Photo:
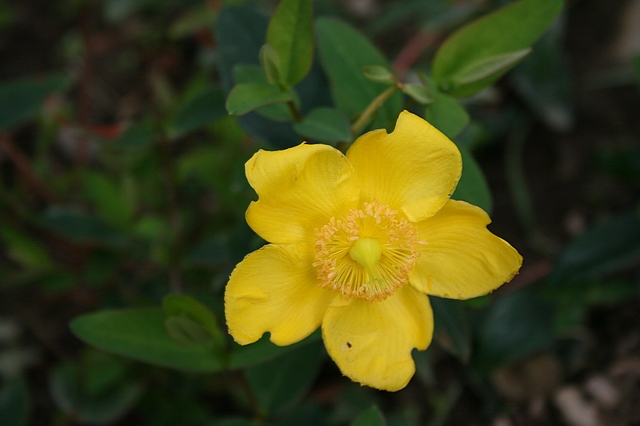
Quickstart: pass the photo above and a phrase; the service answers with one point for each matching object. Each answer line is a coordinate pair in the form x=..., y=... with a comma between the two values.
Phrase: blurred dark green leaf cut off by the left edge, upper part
x=21, y=100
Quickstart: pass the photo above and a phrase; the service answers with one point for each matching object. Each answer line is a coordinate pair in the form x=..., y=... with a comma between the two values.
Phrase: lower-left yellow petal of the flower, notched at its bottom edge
x=274, y=289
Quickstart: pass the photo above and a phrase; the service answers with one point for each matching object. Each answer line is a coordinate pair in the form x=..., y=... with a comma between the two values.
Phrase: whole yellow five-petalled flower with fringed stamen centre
x=357, y=242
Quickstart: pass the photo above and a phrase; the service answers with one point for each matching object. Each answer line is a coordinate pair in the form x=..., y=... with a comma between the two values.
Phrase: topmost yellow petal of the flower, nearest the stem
x=414, y=169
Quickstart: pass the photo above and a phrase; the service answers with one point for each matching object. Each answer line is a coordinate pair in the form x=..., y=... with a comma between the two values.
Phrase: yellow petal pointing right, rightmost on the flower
x=462, y=258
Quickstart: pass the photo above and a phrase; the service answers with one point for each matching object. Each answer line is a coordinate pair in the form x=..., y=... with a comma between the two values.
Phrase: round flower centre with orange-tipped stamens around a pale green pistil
x=368, y=254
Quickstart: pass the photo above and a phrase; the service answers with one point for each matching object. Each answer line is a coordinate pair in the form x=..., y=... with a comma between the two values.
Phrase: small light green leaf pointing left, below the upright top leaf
x=248, y=96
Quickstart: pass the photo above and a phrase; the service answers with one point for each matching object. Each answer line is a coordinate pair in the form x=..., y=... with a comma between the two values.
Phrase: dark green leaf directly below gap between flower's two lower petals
x=275, y=388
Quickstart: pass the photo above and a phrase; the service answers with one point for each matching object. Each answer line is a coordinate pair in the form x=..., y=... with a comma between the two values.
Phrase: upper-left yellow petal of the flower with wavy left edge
x=299, y=189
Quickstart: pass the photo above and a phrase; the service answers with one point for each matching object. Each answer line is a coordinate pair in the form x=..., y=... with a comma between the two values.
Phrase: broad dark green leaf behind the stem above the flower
x=344, y=52
